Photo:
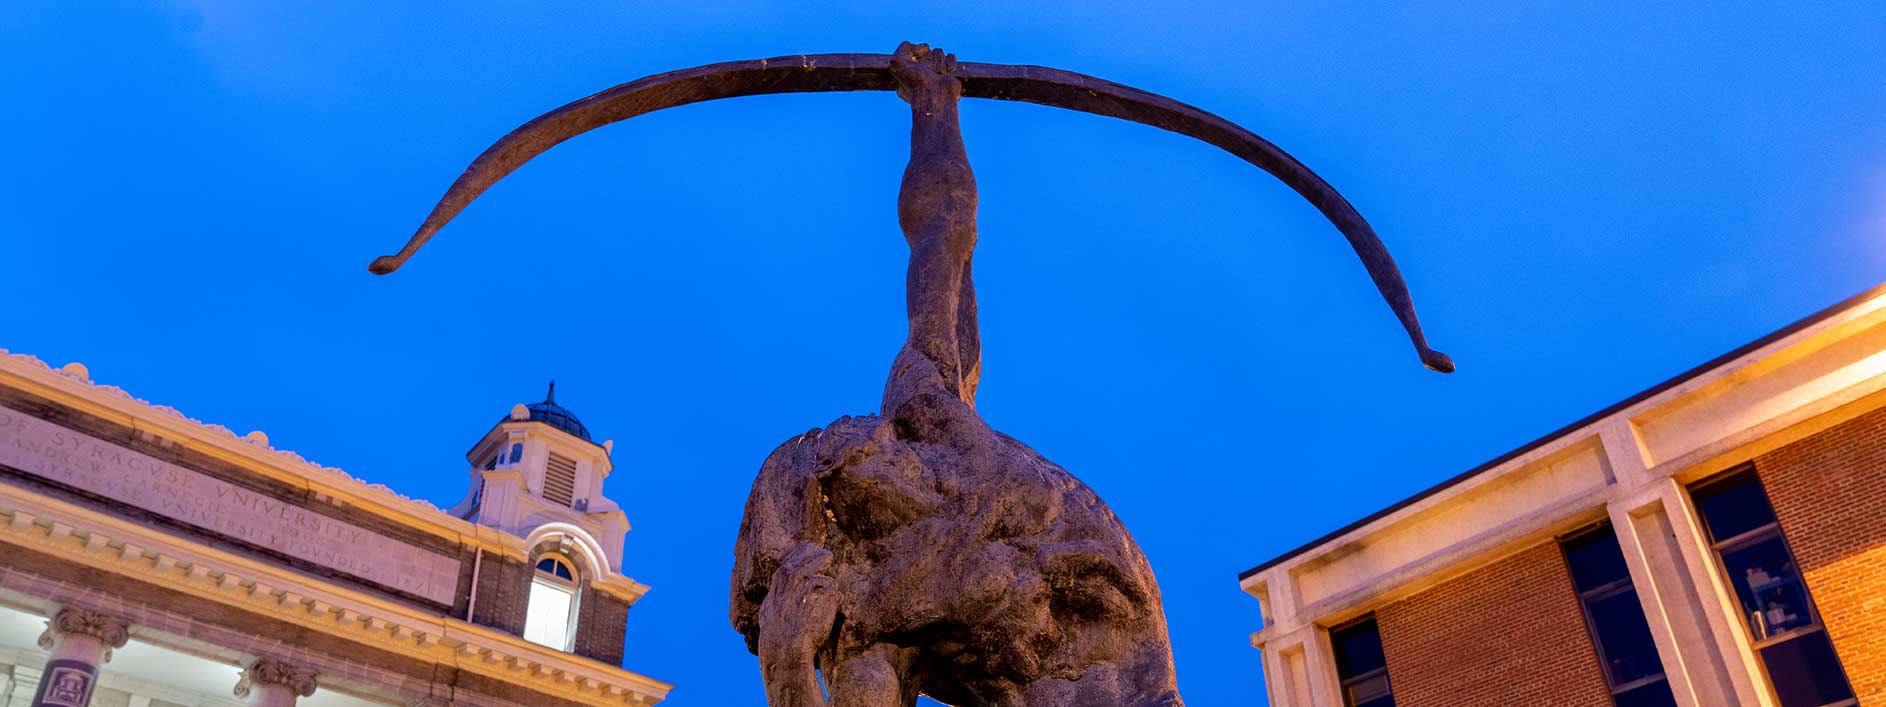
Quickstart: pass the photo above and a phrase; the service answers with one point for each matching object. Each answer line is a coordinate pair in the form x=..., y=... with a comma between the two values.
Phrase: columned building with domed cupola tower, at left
x=154, y=561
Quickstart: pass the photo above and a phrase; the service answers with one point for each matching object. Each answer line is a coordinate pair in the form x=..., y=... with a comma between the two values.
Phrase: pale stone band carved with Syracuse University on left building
x=114, y=472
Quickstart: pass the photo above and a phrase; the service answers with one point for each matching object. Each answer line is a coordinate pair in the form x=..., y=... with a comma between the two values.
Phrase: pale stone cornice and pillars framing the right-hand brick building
x=1627, y=465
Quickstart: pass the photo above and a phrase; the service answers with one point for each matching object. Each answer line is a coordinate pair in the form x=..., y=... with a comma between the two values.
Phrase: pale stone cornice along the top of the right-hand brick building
x=1806, y=378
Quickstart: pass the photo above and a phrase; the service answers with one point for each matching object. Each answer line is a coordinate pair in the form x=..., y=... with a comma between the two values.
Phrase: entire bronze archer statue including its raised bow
x=919, y=551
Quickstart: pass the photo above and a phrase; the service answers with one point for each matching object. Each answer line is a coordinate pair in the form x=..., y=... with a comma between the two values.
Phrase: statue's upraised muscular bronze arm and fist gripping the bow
x=936, y=212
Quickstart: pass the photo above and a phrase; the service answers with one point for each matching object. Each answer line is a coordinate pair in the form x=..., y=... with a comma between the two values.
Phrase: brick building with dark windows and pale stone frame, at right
x=1717, y=540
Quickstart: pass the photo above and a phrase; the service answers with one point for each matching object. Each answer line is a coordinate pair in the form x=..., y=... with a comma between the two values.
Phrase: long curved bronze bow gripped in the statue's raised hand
x=872, y=73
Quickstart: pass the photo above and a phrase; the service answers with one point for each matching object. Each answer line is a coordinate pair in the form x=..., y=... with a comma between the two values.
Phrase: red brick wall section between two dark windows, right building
x=1506, y=634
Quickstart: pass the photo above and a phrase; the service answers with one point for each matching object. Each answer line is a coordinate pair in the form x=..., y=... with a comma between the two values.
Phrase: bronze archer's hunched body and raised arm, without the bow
x=921, y=551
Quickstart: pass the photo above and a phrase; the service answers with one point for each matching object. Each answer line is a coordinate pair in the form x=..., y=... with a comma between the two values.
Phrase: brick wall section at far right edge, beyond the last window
x=1830, y=497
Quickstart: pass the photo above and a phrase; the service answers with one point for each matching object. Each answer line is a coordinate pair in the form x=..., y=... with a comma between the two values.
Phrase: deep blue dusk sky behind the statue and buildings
x=1583, y=201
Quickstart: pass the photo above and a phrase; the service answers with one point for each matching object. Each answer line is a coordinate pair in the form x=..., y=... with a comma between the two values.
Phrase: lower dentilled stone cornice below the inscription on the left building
x=142, y=553
